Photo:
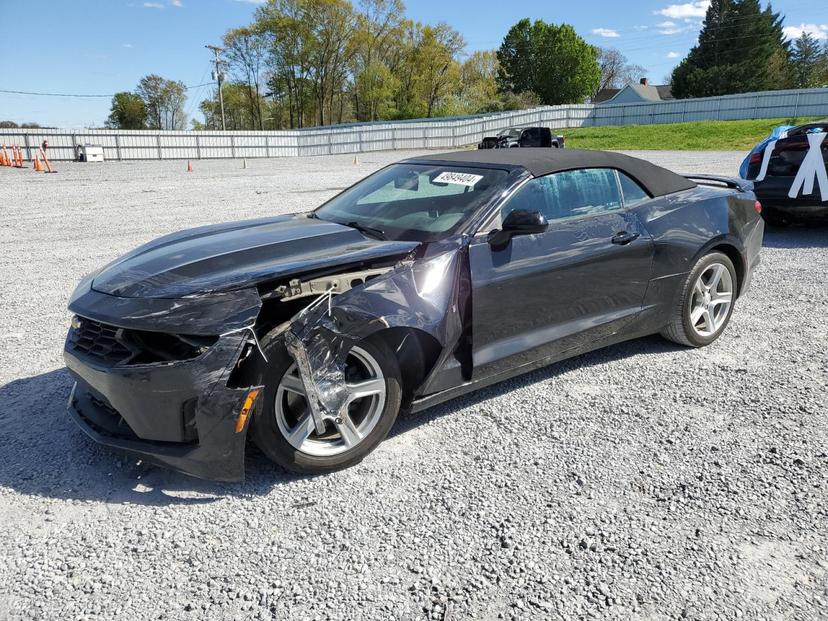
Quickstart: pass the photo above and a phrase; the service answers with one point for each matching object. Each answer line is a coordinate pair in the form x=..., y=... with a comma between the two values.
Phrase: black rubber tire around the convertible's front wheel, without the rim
x=265, y=429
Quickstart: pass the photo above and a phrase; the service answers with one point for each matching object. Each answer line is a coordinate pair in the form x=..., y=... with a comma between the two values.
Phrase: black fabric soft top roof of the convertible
x=658, y=181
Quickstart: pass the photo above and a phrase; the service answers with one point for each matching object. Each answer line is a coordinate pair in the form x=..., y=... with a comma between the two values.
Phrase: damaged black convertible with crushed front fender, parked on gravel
x=426, y=280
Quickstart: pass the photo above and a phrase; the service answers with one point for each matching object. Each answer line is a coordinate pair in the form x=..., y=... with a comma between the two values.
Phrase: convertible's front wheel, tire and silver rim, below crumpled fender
x=284, y=429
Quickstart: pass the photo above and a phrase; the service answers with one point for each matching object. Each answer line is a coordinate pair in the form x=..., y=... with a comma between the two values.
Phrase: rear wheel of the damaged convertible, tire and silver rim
x=701, y=313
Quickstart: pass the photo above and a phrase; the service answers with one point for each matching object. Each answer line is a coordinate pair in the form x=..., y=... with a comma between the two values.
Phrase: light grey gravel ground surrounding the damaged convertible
x=641, y=481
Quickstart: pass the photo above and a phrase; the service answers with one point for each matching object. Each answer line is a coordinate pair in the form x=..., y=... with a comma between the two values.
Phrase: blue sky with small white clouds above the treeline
x=105, y=46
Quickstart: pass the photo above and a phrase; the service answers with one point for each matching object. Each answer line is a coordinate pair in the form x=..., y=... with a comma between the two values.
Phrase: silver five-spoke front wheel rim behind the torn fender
x=365, y=384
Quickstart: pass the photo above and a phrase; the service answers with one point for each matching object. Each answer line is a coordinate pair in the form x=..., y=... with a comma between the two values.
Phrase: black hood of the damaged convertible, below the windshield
x=238, y=254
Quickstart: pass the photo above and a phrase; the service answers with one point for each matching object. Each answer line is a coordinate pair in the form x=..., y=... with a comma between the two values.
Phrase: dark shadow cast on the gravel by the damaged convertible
x=43, y=453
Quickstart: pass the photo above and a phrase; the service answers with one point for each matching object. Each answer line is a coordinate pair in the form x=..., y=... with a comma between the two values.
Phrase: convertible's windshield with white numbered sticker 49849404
x=413, y=202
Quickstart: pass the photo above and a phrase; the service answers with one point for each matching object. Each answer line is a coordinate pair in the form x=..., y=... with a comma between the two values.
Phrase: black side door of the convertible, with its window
x=578, y=282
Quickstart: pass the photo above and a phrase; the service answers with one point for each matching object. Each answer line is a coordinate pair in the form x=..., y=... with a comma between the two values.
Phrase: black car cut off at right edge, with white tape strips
x=789, y=171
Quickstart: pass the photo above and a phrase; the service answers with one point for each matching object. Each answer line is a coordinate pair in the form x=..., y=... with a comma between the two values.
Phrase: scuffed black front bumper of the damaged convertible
x=181, y=416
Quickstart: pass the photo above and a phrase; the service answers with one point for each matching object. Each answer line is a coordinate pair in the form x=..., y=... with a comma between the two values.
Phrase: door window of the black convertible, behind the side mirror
x=568, y=194
